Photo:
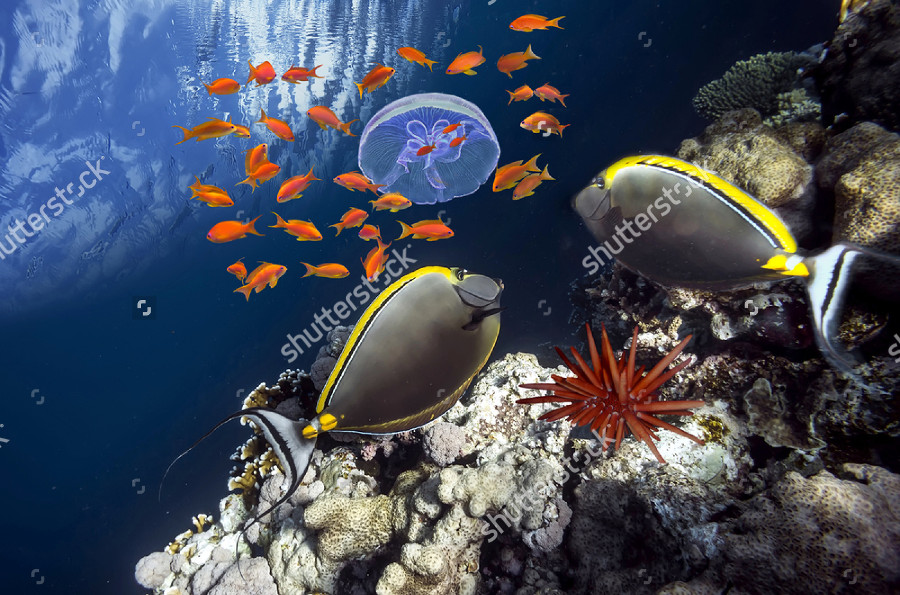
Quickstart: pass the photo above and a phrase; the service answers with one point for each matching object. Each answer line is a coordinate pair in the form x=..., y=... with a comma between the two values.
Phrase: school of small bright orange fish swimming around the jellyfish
x=522, y=178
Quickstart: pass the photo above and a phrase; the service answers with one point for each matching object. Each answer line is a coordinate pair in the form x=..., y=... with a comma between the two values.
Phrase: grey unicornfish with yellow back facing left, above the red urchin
x=679, y=225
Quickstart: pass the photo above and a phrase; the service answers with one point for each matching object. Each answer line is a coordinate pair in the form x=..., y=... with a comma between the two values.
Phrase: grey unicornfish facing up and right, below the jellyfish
x=410, y=357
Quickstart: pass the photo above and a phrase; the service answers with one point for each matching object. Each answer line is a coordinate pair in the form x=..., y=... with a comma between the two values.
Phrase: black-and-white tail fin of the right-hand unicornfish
x=827, y=283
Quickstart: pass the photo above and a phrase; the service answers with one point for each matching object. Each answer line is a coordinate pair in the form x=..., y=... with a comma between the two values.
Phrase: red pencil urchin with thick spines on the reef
x=609, y=394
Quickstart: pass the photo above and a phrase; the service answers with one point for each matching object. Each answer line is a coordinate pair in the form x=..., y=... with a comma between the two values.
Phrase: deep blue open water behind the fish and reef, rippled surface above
x=97, y=402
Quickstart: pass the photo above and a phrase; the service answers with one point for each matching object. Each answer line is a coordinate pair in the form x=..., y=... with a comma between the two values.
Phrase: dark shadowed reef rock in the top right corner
x=860, y=74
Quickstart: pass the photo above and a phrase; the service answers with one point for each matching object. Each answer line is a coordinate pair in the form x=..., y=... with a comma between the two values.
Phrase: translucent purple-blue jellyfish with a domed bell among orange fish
x=394, y=148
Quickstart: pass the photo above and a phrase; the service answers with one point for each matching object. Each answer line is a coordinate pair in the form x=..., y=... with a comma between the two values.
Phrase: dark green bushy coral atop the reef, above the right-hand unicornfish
x=757, y=82
